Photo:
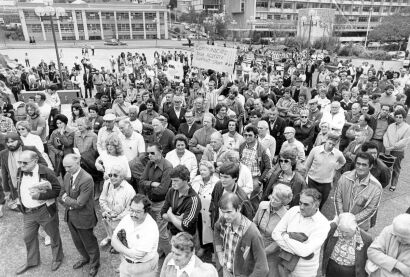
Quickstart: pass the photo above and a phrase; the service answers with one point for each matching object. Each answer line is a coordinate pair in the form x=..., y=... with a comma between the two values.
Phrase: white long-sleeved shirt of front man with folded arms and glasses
x=315, y=228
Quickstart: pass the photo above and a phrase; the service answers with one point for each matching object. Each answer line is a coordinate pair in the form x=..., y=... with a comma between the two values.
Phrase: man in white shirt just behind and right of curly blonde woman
x=132, y=142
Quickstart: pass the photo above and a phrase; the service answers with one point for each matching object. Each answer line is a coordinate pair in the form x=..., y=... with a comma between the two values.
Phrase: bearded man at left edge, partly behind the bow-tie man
x=9, y=158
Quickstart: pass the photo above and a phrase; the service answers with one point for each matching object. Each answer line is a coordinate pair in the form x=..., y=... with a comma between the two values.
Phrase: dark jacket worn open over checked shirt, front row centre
x=249, y=256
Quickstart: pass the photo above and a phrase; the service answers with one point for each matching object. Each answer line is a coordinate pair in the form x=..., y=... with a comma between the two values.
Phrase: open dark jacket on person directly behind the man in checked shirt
x=247, y=209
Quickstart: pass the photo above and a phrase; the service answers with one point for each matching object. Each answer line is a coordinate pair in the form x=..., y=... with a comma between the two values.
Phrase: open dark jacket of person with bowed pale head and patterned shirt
x=361, y=255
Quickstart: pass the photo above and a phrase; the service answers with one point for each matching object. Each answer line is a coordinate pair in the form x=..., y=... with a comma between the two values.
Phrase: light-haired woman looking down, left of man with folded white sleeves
x=267, y=217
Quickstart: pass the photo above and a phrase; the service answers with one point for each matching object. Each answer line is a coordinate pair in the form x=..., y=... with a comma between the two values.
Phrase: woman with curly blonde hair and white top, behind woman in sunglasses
x=114, y=155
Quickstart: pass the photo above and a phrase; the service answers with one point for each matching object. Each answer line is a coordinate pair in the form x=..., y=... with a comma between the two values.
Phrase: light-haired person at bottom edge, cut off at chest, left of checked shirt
x=183, y=261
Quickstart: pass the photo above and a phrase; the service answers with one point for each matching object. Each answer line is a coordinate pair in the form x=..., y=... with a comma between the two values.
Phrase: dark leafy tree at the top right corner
x=392, y=28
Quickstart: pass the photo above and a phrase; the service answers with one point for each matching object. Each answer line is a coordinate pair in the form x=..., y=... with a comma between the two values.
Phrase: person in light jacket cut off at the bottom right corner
x=389, y=254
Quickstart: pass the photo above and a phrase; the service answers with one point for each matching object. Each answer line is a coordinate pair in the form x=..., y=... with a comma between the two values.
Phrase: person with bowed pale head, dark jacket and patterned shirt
x=345, y=249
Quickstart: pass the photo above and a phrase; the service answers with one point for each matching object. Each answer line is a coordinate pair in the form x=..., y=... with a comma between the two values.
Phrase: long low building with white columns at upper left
x=97, y=21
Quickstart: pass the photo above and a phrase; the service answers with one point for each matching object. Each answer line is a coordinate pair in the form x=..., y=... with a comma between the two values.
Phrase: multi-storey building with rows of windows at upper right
x=351, y=17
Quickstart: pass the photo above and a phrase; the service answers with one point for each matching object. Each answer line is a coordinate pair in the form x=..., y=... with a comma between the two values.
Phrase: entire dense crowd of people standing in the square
x=236, y=164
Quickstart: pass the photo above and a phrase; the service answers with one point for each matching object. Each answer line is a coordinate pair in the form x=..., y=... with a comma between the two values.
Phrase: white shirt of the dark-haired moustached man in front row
x=143, y=237
